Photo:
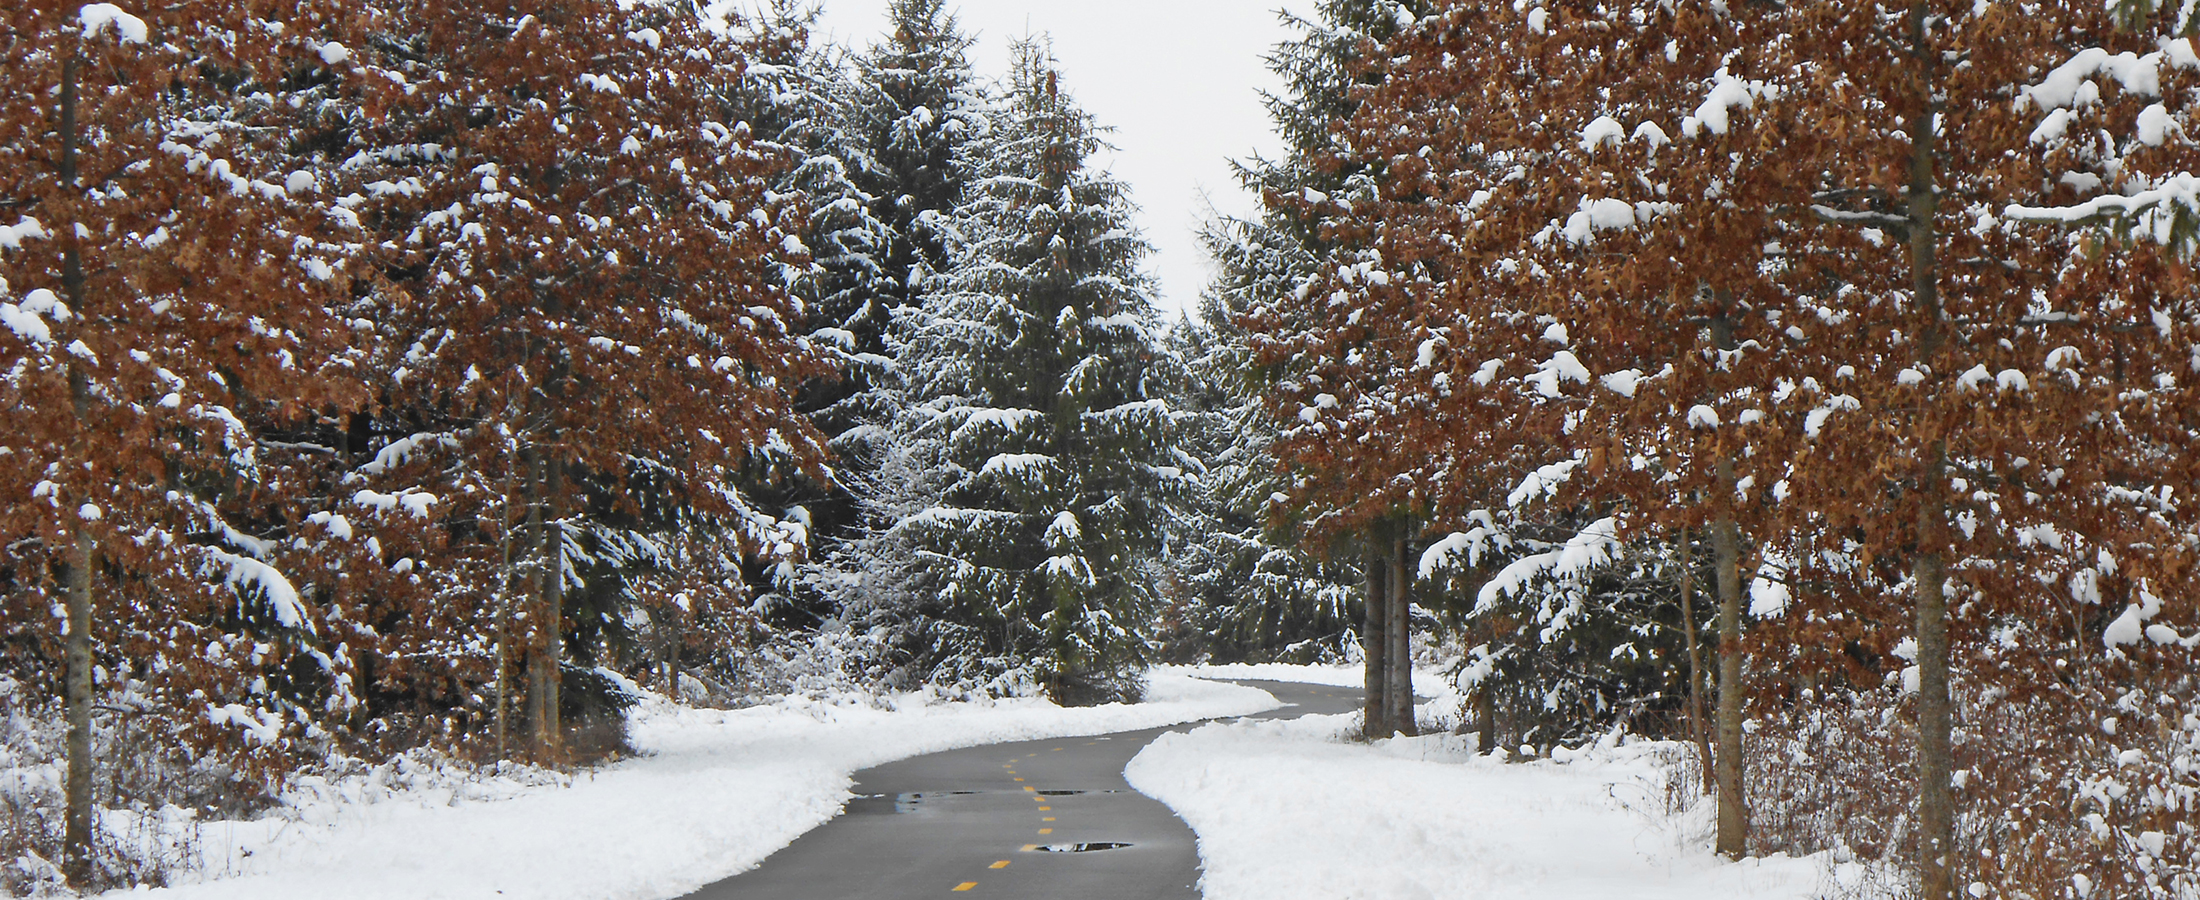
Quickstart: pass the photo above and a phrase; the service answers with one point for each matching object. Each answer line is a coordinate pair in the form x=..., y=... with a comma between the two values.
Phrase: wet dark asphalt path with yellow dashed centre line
x=1035, y=820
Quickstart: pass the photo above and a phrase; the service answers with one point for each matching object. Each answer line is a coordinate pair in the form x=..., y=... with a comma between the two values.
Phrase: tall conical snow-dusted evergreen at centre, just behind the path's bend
x=1037, y=459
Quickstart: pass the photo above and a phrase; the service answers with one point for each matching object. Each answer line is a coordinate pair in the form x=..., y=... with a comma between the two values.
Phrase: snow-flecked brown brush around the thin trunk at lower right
x=2082, y=787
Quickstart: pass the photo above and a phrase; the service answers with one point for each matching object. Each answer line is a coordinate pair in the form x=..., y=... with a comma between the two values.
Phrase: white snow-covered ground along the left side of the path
x=716, y=795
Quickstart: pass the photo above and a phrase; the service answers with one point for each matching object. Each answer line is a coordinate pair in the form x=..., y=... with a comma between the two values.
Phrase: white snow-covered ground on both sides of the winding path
x=1281, y=809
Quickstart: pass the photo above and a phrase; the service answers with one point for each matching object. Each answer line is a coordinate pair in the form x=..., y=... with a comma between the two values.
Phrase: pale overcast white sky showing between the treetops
x=1176, y=78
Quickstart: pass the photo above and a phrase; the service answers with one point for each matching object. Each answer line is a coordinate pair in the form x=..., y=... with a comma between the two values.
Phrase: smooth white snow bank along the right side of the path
x=1292, y=811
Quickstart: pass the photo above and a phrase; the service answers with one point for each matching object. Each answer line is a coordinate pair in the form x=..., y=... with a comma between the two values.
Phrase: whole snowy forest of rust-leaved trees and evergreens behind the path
x=1803, y=382
